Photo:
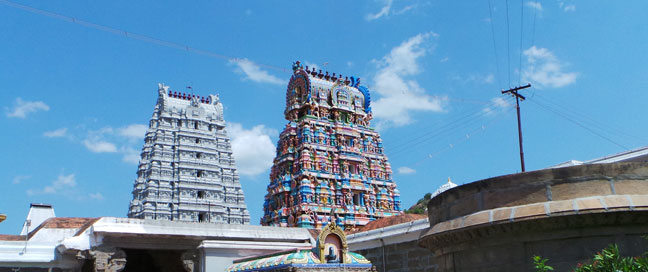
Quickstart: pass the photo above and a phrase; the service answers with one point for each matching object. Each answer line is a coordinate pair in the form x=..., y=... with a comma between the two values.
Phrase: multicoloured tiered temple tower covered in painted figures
x=330, y=164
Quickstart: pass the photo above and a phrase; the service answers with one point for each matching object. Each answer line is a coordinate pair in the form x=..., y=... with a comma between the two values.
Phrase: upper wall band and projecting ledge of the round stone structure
x=560, y=184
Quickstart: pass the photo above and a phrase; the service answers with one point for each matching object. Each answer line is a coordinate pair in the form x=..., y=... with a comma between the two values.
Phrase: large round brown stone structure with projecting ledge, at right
x=564, y=214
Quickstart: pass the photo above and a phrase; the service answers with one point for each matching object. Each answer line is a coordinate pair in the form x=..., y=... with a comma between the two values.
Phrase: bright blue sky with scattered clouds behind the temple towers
x=74, y=98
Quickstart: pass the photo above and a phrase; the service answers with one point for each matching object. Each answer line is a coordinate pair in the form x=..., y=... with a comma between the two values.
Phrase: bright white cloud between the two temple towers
x=253, y=149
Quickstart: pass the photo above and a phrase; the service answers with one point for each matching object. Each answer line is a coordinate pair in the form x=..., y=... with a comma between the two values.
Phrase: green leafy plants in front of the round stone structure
x=609, y=259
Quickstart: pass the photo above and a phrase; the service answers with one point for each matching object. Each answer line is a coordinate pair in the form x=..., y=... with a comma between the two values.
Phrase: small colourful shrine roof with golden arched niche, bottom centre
x=330, y=254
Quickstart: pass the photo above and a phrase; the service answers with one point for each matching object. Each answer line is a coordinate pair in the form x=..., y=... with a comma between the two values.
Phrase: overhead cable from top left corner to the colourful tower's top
x=132, y=35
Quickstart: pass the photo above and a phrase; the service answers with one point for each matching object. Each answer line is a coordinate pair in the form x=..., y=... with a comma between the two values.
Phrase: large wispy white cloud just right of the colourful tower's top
x=398, y=95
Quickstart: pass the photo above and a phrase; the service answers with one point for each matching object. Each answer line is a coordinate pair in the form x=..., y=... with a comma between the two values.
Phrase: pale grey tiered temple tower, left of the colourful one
x=187, y=171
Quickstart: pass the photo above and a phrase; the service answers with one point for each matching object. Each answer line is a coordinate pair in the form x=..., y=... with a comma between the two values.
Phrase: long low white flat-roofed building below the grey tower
x=110, y=244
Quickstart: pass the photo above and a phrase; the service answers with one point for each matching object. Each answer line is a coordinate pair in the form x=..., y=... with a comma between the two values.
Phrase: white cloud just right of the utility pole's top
x=545, y=70
